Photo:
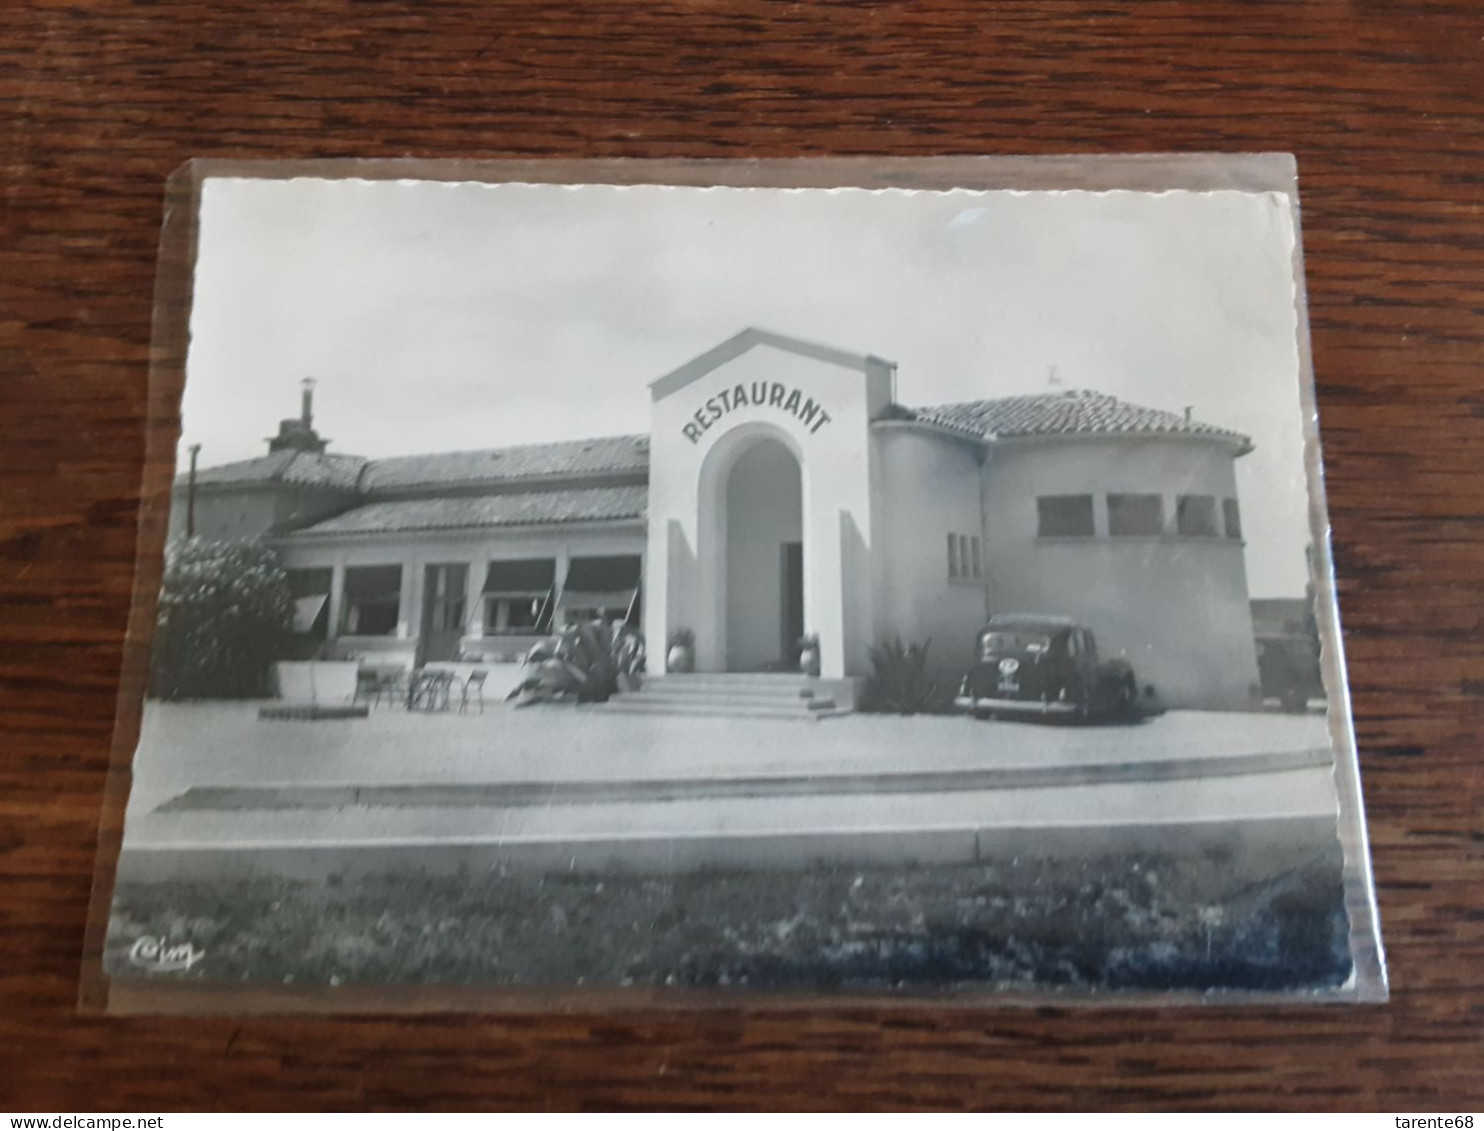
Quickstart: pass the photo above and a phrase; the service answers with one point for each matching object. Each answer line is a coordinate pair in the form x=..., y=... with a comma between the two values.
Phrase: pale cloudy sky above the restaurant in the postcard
x=439, y=317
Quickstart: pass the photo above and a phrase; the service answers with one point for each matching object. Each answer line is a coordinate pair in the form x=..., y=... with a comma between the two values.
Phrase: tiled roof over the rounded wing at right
x=1071, y=413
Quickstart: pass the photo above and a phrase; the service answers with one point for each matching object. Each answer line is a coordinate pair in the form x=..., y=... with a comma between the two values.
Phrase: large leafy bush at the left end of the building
x=226, y=615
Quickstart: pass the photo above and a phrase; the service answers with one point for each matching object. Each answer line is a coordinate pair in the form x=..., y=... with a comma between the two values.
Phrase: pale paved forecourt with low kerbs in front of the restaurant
x=219, y=792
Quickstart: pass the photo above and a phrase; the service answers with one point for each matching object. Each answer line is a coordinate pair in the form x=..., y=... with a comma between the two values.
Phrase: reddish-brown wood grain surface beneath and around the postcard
x=1382, y=106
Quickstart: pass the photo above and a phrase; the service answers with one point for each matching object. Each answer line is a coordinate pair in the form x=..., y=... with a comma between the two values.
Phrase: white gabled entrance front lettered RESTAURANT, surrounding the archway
x=810, y=406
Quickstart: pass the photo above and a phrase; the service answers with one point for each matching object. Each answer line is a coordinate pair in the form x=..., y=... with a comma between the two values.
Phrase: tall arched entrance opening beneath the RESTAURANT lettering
x=765, y=559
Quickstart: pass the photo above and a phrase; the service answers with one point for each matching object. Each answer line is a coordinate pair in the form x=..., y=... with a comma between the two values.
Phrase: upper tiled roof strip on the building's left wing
x=571, y=458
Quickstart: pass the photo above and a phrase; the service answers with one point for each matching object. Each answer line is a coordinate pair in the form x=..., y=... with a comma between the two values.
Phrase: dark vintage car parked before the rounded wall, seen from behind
x=1029, y=664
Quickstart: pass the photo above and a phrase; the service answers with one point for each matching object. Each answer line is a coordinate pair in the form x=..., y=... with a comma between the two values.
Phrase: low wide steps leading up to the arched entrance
x=738, y=695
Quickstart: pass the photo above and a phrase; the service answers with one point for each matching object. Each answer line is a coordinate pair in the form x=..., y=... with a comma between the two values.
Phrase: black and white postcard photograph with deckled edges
x=744, y=590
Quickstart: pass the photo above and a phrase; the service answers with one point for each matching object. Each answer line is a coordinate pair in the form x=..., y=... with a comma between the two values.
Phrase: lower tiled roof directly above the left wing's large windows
x=473, y=513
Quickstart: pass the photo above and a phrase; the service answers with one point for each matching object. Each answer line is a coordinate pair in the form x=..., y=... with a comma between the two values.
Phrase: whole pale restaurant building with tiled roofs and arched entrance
x=783, y=489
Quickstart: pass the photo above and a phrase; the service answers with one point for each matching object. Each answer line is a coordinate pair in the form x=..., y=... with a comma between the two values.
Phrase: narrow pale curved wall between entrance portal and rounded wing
x=930, y=488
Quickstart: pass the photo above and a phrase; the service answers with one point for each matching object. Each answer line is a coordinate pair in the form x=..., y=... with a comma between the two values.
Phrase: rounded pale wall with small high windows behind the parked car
x=1176, y=606
